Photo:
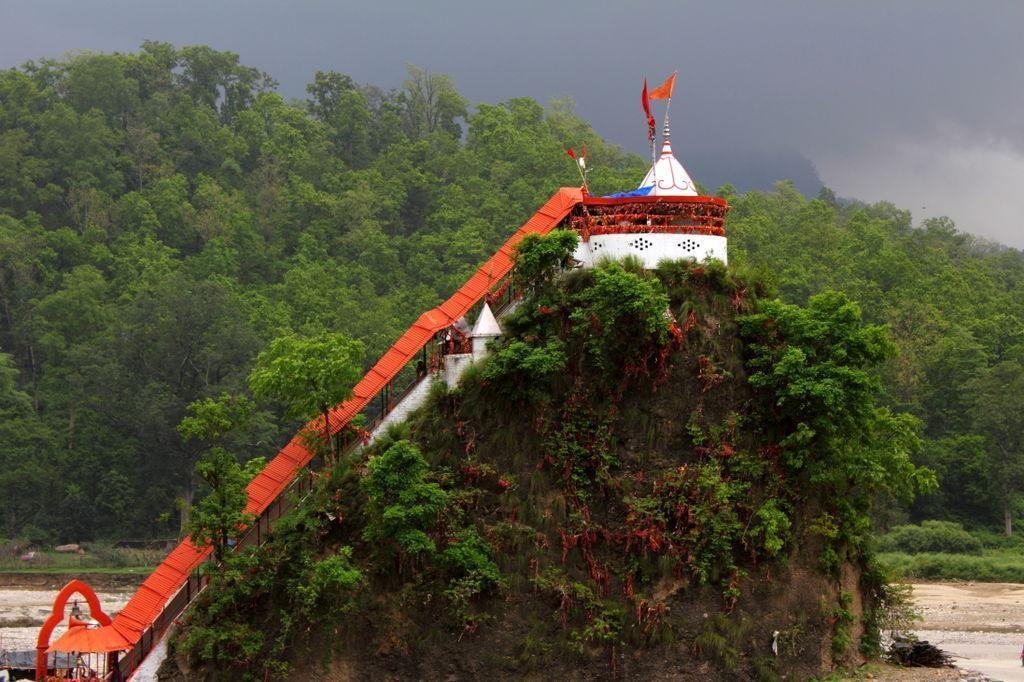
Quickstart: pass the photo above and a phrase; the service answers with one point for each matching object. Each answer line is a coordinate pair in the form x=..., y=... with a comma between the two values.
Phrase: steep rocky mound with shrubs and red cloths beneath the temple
x=663, y=475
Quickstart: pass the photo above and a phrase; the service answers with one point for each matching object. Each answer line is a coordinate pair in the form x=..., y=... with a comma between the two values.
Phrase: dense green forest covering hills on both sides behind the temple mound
x=165, y=215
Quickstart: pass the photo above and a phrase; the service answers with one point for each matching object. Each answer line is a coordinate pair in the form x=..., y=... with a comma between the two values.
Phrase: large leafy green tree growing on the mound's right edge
x=816, y=364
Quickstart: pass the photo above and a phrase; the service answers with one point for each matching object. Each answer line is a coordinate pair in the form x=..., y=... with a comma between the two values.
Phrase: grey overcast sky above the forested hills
x=920, y=103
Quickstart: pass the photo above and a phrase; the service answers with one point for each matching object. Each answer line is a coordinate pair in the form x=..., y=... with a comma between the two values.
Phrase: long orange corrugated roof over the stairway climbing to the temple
x=143, y=610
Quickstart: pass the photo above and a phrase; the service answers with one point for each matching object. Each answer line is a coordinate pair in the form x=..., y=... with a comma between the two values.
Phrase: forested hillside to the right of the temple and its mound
x=955, y=309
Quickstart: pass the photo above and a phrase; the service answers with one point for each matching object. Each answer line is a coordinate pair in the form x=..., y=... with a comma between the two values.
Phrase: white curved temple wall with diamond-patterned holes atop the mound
x=652, y=248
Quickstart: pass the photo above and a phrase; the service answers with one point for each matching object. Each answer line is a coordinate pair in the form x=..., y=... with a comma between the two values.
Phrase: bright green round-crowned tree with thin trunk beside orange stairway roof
x=310, y=376
